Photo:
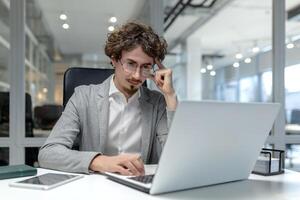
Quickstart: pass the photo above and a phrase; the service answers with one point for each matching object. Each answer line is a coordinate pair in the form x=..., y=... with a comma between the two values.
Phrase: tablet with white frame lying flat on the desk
x=46, y=181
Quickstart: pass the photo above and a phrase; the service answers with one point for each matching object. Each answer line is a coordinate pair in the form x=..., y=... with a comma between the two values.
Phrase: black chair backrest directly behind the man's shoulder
x=76, y=76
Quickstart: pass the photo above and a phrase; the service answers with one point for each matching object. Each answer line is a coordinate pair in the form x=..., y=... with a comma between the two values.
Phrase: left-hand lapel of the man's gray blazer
x=103, y=109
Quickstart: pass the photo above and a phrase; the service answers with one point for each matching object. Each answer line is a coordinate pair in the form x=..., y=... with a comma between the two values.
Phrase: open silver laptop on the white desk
x=208, y=143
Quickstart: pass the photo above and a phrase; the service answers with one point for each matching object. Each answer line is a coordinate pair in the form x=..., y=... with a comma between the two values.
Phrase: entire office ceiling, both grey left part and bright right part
x=238, y=26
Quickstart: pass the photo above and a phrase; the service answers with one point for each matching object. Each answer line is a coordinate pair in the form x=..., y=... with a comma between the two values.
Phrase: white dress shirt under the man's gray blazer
x=124, y=126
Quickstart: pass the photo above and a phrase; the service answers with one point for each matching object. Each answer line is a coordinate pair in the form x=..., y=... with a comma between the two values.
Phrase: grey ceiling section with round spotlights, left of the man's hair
x=88, y=21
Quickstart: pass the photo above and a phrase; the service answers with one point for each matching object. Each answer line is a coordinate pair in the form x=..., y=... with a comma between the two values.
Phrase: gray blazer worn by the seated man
x=86, y=117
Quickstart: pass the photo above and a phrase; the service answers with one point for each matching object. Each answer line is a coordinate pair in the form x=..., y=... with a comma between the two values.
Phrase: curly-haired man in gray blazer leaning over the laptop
x=120, y=124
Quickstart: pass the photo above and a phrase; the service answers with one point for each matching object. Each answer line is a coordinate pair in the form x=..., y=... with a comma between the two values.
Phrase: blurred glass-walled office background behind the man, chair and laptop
x=225, y=50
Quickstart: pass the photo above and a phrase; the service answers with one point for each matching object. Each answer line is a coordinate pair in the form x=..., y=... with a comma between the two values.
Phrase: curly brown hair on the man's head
x=134, y=34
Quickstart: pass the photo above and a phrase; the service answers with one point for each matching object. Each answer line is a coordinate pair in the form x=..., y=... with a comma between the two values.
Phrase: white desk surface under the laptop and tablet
x=280, y=187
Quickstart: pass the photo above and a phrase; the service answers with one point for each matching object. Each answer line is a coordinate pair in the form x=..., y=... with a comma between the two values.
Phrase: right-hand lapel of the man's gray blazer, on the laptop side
x=147, y=117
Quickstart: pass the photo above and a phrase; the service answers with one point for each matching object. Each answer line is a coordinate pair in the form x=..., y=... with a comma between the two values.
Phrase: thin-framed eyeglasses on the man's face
x=131, y=67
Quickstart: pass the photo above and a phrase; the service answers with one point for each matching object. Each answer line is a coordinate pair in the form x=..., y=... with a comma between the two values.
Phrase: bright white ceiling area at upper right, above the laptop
x=238, y=26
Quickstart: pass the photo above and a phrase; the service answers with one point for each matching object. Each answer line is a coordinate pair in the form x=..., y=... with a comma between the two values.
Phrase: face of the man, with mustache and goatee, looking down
x=128, y=82
